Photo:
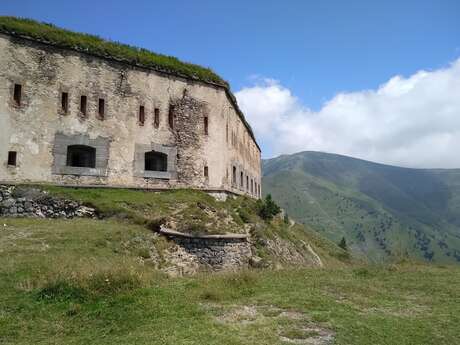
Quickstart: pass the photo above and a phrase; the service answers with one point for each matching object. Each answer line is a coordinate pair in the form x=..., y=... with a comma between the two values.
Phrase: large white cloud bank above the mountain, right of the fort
x=412, y=121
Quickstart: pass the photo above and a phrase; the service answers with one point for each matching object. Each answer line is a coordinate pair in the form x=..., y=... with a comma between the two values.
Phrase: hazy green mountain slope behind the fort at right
x=383, y=211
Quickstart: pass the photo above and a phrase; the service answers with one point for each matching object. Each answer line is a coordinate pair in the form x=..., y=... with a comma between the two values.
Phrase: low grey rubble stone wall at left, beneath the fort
x=16, y=201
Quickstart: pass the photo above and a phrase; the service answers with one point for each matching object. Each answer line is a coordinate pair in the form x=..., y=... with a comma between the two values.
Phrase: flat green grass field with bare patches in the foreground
x=84, y=282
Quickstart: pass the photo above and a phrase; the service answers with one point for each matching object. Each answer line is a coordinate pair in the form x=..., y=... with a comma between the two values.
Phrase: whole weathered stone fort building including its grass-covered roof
x=77, y=110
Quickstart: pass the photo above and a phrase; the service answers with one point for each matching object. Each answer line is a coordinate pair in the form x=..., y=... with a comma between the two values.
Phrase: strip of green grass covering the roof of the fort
x=94, y=45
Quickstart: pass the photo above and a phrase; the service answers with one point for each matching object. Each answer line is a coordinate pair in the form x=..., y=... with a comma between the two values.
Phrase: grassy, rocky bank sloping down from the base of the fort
x=276, y=241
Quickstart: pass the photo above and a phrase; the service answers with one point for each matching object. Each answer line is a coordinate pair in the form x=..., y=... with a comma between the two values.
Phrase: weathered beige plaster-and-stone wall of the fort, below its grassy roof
x=31, y=128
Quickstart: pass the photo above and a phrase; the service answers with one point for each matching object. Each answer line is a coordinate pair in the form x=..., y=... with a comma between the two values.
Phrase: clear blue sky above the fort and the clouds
x=314, y=49
